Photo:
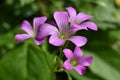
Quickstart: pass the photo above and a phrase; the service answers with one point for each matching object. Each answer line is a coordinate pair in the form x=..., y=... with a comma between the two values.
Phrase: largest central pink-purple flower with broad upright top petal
x=61, y=33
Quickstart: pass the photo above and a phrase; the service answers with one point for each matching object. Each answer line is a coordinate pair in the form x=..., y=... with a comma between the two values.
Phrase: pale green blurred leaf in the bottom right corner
x=102, y=67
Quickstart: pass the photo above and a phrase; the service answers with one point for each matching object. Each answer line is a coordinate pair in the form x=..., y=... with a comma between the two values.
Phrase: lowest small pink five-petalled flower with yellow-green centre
x=76, y=61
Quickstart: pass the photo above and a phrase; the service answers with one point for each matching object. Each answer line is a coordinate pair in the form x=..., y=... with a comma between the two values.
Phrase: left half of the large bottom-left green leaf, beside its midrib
x=12, y=65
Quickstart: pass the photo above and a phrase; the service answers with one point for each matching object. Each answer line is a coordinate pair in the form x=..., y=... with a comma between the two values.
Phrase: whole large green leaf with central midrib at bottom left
x=27, y=62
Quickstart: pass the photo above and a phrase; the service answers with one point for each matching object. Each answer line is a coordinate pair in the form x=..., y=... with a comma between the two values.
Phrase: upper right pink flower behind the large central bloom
x=80, y=21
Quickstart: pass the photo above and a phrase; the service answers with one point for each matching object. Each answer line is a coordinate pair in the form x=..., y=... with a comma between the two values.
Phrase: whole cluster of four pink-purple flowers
x=66, y=24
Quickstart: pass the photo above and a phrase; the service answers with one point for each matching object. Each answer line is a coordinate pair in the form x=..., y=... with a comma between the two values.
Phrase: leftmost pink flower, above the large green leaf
x=30, y=32
